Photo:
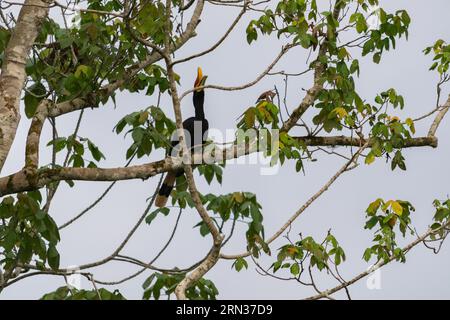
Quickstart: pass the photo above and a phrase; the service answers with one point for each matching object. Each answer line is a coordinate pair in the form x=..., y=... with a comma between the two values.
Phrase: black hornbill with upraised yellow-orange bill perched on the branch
x=195, y=130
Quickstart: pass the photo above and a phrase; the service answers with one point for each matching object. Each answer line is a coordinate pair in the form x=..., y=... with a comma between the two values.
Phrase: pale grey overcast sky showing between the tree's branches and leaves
x=97, y=234
